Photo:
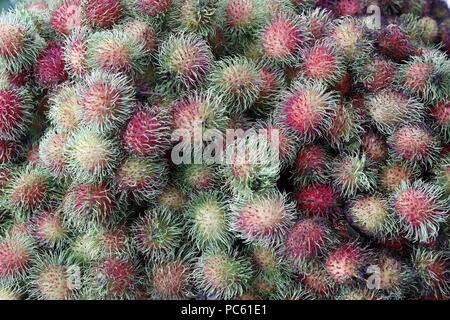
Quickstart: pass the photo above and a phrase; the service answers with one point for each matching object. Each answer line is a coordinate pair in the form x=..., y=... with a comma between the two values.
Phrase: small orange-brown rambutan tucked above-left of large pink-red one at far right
x=394, y=173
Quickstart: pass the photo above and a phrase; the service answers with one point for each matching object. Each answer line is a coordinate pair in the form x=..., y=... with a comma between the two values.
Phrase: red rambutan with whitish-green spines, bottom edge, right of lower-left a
x=113, y=278
